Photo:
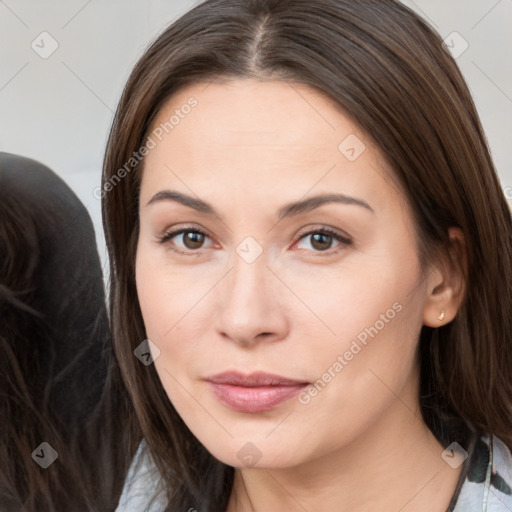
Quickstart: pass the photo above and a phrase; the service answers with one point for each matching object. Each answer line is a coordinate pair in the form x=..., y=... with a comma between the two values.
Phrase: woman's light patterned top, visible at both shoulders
x=485, y=484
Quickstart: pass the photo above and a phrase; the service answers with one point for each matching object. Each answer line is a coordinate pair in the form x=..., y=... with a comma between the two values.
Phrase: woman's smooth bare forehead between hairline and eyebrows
x=282, y=136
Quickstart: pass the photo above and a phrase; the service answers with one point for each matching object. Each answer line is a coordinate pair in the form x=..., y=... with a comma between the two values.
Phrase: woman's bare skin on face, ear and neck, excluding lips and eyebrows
x=359, y=443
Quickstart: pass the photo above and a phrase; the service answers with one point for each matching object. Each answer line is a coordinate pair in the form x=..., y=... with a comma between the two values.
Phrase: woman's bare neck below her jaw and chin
x=395, y=465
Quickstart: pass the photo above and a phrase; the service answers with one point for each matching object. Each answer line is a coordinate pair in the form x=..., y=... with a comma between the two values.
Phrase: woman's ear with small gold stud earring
x=447, y=282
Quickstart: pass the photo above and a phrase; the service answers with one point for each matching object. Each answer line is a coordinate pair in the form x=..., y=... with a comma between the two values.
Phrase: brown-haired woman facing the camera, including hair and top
x=311, y=280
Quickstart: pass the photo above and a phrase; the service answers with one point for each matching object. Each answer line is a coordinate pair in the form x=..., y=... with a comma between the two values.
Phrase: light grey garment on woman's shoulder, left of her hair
x=142, y=490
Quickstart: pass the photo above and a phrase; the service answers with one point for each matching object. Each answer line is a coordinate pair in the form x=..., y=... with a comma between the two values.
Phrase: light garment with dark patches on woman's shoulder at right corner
x=488, y=483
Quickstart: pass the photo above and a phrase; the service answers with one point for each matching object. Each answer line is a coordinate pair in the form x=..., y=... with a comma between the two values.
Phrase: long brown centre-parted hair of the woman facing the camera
x=388, y=70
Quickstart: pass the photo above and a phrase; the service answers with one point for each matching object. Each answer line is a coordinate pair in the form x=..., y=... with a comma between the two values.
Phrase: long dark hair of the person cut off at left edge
x=57, y=374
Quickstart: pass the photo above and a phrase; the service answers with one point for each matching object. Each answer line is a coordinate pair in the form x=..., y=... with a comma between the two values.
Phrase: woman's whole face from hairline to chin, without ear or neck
x=254, y=285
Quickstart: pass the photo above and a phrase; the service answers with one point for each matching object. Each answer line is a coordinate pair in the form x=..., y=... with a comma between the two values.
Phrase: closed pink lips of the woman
x=256, y=392
